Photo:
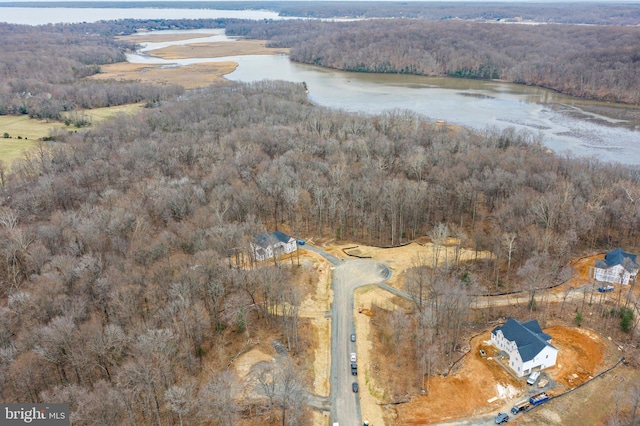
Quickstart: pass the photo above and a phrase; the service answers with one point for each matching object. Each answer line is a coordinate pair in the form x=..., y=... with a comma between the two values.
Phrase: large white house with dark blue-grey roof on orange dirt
x=527, y=346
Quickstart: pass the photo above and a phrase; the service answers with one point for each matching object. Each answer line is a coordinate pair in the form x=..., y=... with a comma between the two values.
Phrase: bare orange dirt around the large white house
x=478, y=380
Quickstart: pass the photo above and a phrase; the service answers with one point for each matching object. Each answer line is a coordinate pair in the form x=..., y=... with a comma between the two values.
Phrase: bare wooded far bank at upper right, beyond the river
x=598, y=62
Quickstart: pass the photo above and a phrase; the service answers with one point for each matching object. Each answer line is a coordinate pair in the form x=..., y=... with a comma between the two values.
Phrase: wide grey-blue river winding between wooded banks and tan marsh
x=561, y=121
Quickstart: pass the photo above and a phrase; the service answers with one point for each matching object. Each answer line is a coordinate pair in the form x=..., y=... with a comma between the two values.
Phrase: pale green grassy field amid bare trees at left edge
x=24, y=132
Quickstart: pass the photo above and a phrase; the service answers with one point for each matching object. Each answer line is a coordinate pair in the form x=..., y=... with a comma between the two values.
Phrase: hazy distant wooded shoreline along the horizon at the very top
x=568, y=12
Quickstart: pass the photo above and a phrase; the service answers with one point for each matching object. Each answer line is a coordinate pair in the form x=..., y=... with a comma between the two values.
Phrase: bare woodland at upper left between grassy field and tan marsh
x=42, y=71
